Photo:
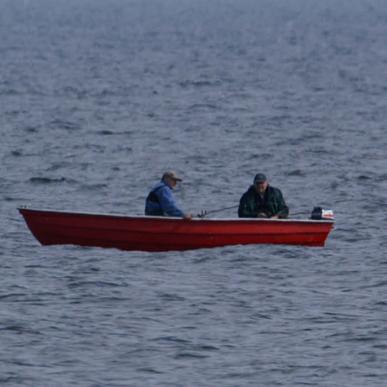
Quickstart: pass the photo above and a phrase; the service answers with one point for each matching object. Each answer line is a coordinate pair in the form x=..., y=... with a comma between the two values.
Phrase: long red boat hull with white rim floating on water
x=163, y=233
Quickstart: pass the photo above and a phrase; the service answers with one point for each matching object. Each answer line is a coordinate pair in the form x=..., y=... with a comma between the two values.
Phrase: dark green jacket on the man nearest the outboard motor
x=272, y=204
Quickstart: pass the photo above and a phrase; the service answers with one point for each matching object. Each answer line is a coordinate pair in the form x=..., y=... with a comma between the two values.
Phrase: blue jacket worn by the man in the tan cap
x=161, y=202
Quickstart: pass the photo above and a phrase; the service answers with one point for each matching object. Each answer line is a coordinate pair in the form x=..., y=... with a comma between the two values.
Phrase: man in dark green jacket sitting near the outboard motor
x=262, y=201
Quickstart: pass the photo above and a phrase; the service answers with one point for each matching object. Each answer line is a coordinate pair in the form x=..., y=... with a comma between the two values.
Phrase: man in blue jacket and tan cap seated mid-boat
x=161, y=201
